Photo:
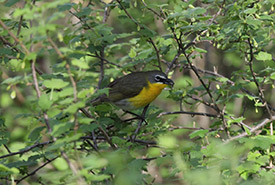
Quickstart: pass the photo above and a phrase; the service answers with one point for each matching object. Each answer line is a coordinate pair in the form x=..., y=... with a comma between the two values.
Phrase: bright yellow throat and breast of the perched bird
x=147, y=95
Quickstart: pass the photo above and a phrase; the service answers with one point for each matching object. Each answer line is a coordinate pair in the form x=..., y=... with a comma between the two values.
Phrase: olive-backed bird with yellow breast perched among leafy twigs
x=135, y=90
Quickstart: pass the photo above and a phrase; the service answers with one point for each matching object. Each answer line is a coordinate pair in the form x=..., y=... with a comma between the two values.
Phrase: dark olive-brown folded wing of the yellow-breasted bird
x=126, y=87
